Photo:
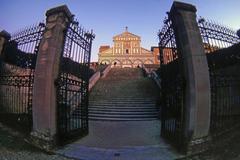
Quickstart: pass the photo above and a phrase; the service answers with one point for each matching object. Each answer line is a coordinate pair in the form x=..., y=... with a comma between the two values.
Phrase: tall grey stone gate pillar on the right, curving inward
x=195, y=66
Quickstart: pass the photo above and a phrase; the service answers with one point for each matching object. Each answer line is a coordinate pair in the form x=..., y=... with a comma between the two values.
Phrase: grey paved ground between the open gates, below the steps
x=136, y=140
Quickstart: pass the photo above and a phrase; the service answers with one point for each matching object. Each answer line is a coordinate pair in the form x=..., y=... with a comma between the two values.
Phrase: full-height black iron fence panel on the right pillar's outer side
x=225, y=84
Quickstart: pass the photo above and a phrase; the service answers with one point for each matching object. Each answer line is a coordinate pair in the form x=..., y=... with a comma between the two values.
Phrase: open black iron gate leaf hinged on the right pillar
x=173, y=86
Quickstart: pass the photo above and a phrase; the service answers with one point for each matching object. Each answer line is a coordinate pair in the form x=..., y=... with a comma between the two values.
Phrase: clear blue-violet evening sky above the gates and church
x=110, y=17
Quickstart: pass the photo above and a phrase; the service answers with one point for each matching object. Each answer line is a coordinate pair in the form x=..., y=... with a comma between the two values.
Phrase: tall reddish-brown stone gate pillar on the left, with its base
x=44, y=131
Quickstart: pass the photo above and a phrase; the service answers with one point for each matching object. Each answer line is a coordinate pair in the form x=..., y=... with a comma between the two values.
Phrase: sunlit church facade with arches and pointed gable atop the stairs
x=127, y=52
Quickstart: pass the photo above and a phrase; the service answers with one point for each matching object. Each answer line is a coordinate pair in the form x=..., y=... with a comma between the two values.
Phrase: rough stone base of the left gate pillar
x=43, y=141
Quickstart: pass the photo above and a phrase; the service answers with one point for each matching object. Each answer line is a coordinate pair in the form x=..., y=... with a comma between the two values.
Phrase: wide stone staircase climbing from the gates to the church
x=124, y=95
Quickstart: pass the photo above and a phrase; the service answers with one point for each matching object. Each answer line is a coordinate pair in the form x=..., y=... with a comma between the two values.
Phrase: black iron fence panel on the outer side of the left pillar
x=17, y=76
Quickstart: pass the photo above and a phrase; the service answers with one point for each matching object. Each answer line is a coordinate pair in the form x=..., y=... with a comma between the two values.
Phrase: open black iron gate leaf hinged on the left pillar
x=72, y=92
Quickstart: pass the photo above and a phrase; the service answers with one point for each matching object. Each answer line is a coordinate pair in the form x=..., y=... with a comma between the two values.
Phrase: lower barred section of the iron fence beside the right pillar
x=225, y=111
